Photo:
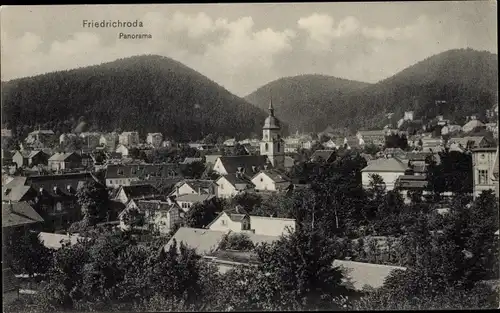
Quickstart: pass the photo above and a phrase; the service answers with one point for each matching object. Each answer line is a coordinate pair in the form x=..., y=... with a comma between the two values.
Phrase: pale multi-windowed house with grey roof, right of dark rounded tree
x=160, y=216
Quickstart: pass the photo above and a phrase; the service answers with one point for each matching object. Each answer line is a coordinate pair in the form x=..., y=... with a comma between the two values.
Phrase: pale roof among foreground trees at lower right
x=359, y=274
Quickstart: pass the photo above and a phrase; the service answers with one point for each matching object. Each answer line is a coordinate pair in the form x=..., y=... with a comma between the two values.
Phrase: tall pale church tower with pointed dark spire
x=272, y=144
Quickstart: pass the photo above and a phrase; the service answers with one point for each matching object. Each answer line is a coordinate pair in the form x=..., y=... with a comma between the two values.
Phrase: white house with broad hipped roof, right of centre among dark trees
x=388, y=168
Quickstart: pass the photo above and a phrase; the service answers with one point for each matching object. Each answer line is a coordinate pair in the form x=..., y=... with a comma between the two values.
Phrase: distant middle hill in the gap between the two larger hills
x=302, y=100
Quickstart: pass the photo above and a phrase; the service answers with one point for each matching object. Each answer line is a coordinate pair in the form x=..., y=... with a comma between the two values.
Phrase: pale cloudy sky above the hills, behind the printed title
x=244, y=46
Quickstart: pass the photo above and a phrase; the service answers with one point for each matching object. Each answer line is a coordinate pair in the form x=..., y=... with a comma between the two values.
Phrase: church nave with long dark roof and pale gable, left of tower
x=248, y=164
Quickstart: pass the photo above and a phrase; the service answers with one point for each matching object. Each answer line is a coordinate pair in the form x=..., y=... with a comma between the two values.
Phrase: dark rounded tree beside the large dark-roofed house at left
x=93, y=198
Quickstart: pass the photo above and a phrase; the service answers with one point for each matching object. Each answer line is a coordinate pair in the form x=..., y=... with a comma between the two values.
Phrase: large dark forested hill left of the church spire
x=144, y=93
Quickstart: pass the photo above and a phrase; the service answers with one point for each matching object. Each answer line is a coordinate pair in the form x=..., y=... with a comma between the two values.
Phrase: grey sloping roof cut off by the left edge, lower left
x=19, y=213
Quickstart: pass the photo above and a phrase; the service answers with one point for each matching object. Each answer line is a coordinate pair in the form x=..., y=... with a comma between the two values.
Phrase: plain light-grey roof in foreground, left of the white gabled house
x=203, y=241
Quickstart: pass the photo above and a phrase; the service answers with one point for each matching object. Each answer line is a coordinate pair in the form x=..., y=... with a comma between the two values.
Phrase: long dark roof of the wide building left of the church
x=142, y=170
